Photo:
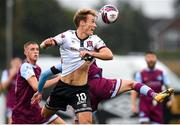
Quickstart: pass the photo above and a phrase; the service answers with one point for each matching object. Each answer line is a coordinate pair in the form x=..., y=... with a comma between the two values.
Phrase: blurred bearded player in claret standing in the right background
x=149, y=110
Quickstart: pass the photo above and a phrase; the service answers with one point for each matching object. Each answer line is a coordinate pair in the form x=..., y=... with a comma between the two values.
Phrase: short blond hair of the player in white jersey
x=81, y=14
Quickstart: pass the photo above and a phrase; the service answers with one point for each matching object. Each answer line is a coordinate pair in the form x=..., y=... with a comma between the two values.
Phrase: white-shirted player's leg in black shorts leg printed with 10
x=80, y=101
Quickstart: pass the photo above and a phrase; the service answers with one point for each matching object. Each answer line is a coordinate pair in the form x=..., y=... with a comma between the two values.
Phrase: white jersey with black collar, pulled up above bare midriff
x=70, y=46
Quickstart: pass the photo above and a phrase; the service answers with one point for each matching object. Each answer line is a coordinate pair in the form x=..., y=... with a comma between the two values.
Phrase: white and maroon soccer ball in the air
x=109, y=14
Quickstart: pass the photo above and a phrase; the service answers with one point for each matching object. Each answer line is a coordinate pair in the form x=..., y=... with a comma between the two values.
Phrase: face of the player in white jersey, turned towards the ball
x=89, y=25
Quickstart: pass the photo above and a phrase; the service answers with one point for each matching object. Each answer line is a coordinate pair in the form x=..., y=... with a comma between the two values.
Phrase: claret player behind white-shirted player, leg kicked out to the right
x=101, y=88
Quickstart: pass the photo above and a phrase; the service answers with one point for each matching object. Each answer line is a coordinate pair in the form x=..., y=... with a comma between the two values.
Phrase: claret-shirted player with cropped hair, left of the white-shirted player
x=26, y=85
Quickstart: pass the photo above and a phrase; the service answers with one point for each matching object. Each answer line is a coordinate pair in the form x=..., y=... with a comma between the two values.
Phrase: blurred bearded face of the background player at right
x=151, y=60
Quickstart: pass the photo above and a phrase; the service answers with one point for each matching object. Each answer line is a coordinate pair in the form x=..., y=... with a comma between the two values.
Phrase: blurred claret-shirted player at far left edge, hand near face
x=8, y=80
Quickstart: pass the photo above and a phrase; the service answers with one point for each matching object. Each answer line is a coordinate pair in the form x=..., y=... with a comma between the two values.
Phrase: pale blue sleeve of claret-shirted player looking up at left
x=27, y=70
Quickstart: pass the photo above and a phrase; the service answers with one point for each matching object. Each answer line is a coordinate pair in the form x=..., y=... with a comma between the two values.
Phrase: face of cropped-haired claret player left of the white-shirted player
x=32, y=52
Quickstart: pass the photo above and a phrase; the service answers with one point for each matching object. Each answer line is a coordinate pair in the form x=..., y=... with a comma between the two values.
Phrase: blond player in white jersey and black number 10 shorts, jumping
x=77, y=48
